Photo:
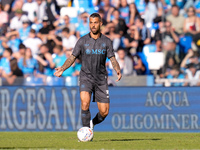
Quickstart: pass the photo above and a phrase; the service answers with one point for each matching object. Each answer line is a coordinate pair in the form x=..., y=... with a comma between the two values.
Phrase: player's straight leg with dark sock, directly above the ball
x=85, y=104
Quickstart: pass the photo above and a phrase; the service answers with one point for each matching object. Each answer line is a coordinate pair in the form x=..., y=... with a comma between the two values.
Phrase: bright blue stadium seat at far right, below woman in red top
x=185, y=43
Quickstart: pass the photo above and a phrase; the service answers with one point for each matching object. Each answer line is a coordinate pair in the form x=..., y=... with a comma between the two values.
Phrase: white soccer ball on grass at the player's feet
x=85, y=134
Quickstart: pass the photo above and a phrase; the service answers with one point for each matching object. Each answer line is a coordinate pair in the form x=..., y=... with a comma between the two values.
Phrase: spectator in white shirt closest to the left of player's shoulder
x=68, y=40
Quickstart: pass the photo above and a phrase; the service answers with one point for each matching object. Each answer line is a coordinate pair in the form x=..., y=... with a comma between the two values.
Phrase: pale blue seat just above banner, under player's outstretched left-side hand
x=55, y=81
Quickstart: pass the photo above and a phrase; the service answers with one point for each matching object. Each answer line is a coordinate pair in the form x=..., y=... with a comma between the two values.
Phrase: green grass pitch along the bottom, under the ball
x=102, y=140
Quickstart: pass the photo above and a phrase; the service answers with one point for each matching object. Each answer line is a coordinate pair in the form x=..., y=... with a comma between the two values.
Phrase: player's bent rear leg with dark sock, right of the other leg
x=101, y=115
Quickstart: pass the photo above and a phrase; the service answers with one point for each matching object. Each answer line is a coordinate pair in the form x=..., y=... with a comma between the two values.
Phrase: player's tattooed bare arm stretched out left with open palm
x=65, y=66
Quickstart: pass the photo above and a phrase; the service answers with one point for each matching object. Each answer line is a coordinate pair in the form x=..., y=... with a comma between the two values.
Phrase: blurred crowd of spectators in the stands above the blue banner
x=37, y=36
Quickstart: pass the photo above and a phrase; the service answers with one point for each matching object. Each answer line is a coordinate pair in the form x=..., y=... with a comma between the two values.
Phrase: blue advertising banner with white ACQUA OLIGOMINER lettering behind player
x=137, y=109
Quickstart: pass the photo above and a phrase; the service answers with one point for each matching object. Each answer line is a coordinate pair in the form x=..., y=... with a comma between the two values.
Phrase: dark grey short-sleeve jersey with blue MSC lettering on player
x=94, y=53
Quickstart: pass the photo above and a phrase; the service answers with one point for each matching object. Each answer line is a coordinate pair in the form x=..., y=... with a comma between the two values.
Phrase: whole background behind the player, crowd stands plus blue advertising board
x=32, y=99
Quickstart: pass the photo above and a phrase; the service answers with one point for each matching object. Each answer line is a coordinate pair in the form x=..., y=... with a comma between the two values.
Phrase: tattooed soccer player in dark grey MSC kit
x=94, y=48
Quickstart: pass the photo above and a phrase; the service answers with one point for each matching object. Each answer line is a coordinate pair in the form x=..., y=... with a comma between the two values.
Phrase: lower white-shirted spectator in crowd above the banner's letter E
x=33, y=42
